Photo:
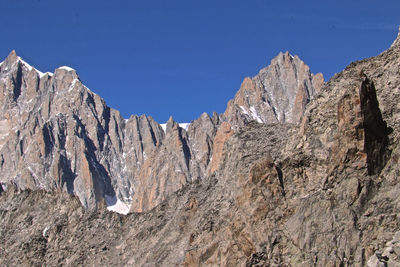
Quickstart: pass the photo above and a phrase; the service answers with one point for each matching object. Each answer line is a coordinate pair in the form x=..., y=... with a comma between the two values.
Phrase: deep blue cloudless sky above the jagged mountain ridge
x=184, y=57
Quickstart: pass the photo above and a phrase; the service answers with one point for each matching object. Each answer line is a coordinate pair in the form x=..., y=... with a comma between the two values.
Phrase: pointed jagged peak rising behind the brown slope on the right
x=279, y=93
